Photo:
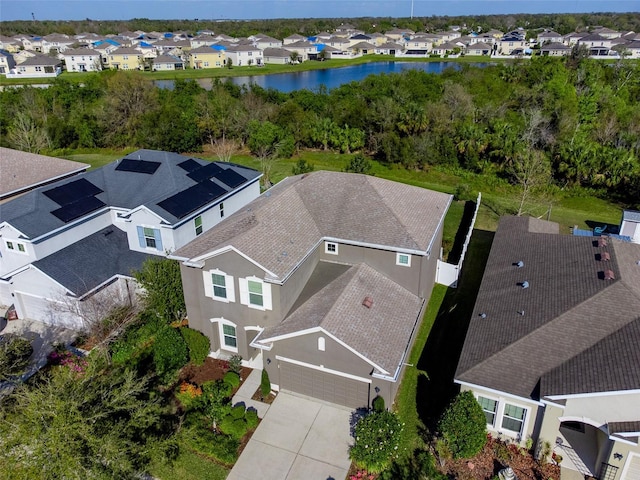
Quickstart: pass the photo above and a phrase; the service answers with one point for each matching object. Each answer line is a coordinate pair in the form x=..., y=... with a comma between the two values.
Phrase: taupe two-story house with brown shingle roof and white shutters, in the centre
x=322, y=281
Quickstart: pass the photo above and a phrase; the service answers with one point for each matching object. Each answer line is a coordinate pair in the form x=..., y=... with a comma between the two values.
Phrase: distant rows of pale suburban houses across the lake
x=26, y=56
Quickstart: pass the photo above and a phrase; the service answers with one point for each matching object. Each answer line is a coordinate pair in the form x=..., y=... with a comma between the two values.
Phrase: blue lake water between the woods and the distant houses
x=330, y=77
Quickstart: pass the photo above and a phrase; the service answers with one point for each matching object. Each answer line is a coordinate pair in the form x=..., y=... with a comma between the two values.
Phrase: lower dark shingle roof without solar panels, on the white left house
x=92, y=261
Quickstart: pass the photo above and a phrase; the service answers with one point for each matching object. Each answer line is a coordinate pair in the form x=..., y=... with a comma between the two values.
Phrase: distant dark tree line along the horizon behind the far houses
x=280, y=28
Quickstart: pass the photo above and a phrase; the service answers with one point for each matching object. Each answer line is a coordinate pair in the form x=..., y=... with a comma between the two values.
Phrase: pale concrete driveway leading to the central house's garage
x=299, y=438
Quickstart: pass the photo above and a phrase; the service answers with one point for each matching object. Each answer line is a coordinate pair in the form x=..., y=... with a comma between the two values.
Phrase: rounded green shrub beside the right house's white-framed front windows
x=463, y=426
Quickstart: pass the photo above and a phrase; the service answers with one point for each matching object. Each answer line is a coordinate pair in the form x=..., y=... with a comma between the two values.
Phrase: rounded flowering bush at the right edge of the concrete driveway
x=377, y=440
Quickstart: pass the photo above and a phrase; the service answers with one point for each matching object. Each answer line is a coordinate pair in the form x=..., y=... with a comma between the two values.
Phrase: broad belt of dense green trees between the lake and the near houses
x=573, y=121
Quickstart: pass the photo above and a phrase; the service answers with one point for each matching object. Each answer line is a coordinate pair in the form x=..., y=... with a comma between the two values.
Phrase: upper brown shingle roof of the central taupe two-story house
x=280, y=227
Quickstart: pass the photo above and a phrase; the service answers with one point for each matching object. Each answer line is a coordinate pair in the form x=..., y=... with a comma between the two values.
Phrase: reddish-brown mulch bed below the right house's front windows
x=497, y=455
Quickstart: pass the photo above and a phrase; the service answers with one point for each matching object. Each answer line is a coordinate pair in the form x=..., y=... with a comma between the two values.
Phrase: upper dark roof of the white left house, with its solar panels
x=169, y=185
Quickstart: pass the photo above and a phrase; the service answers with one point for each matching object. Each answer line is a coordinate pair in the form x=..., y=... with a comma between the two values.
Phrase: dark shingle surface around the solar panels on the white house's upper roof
x=31, y=213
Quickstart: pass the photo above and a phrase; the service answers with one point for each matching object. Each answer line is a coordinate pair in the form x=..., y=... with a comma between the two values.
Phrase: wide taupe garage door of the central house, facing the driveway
x=323, y=385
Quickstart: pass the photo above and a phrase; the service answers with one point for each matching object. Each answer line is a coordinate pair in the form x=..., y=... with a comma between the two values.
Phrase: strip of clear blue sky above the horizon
x=255, y=9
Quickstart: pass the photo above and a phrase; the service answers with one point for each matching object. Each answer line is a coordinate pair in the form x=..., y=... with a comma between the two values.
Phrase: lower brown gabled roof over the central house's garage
x=381, y=332
